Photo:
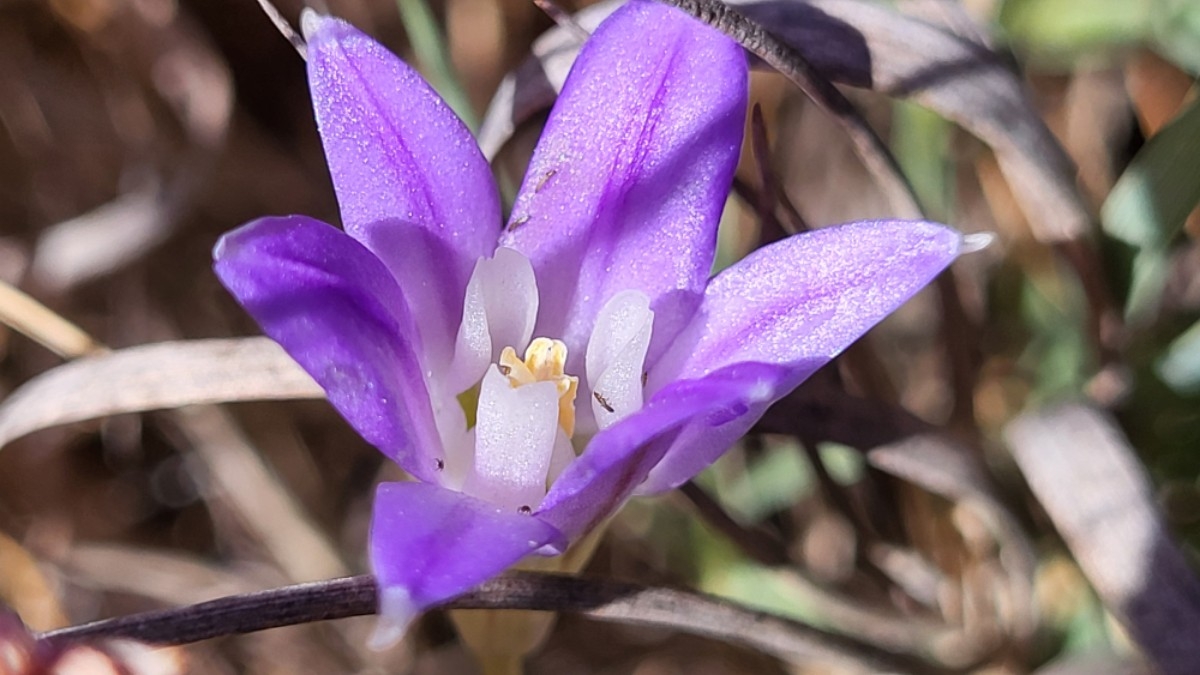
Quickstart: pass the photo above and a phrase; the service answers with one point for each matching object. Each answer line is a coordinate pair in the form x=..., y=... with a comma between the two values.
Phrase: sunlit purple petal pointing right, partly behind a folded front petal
x=797, y=304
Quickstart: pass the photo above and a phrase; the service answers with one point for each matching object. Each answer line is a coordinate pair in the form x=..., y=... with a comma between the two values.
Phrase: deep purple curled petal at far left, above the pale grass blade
x=337, y=310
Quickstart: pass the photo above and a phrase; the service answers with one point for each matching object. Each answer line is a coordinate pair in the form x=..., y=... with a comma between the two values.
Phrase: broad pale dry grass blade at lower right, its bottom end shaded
x=1095, y=489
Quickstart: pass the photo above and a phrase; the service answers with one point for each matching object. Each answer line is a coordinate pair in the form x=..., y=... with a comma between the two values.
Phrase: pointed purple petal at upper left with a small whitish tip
x=399, y=156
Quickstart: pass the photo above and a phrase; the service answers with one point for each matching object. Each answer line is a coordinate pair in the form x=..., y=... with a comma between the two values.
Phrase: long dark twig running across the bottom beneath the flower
x=609, y=601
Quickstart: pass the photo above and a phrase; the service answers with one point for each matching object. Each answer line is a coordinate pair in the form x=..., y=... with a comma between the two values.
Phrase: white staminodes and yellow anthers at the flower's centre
x=524, y=409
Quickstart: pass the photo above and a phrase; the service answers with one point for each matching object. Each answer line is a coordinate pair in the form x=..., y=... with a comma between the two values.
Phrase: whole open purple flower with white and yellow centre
x=533, y=378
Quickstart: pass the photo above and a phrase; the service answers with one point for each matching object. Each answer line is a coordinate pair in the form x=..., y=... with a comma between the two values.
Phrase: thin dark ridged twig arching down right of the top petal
x=872, y=150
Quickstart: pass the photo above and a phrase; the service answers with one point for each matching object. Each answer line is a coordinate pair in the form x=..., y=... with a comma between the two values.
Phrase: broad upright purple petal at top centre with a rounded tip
x=628, y=183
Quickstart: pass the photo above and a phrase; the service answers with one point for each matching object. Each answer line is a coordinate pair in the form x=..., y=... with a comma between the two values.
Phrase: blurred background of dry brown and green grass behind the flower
x=134, y=134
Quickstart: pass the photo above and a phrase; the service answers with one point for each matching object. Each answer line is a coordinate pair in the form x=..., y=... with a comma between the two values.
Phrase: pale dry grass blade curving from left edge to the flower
x=158, y=377
